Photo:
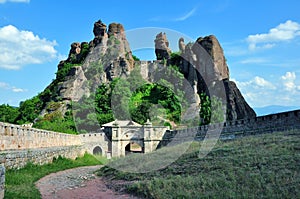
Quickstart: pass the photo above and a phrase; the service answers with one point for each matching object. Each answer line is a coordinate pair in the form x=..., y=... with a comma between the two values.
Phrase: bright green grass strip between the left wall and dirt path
x=21, y=183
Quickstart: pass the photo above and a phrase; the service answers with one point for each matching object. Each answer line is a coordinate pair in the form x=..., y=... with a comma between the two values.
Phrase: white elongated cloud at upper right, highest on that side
x=283, y=32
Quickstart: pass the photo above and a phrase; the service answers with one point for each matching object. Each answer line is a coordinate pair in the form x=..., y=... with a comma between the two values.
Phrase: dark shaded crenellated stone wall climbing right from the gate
x=229, y=130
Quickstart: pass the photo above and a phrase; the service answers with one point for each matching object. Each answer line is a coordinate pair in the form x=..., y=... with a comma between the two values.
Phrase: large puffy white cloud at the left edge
x=20, y=48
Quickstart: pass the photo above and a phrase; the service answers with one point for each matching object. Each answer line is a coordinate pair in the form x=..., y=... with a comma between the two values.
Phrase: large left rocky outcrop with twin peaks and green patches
x=90, y=64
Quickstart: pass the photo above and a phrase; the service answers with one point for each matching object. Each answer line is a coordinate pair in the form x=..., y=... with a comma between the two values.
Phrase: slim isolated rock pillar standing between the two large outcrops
x=162, y=49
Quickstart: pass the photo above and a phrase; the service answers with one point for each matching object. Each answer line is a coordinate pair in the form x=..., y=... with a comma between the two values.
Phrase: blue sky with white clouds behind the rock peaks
x=261, y=40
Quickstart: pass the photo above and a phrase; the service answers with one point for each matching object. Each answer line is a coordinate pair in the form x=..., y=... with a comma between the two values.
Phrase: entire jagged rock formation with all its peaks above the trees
x=109, y=56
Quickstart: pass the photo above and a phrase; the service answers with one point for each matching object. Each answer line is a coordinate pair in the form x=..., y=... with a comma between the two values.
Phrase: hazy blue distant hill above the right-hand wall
x=273, y=109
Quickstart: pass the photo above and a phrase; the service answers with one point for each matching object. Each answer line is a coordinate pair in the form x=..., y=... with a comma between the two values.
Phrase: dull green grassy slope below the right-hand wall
x=265, y=166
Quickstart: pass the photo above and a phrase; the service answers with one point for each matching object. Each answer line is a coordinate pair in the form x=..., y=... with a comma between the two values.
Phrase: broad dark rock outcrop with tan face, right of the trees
x=204, y=66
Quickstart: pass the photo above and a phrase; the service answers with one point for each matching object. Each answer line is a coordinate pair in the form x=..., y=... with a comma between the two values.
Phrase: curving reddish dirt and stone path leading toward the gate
x=76, y=184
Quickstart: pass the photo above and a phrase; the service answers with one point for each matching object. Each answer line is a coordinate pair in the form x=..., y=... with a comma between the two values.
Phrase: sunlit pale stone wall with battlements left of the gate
x=21, y=144
